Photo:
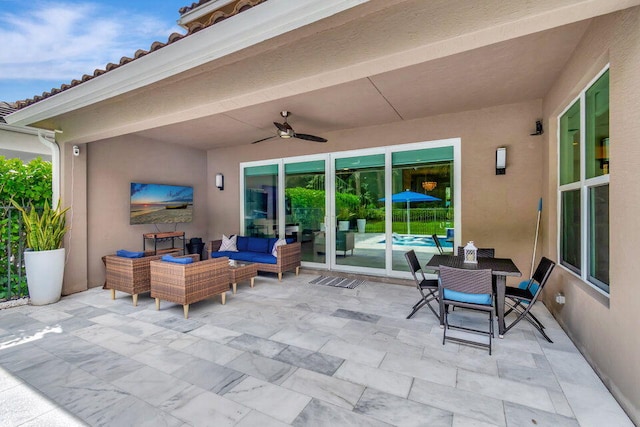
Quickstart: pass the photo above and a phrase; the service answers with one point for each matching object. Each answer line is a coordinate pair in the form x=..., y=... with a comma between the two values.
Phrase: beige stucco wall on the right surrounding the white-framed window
x=605, y=329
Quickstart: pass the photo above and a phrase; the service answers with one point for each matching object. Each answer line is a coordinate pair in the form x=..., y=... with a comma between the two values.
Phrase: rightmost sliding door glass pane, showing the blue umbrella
x=422, y=203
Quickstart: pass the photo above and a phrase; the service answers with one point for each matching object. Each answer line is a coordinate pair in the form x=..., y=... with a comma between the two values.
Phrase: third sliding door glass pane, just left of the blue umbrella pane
x=360, y=216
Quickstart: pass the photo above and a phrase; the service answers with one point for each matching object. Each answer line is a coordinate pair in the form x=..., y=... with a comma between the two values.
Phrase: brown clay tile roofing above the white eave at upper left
x=216, y=16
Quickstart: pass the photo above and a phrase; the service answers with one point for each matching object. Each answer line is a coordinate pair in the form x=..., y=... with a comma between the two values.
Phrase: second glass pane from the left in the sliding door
x=305, y=197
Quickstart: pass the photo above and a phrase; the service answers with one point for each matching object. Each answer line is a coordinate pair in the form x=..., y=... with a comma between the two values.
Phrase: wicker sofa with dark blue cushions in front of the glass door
x=288, y=258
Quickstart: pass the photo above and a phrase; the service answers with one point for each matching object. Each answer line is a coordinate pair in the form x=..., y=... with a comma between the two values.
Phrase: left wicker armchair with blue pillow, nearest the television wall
x=130, y=275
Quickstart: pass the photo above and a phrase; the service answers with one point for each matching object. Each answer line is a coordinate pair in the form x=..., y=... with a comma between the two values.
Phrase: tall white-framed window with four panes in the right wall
x=584, y=184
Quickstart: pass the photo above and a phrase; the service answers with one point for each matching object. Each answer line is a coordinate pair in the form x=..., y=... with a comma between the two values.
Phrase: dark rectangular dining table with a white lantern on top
x=500, y=269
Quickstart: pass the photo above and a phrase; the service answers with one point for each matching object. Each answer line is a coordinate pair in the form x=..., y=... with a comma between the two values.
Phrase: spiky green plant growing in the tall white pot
x=46, y=230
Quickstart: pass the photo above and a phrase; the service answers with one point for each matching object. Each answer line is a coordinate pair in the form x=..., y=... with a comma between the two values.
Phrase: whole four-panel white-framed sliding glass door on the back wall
x=358, y=211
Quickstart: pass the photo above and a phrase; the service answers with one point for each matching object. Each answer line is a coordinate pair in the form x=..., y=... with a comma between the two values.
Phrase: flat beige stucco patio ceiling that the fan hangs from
x=507, y=72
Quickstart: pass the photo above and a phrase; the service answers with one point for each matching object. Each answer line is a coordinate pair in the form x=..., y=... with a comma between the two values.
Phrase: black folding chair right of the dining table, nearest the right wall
x=521, y=299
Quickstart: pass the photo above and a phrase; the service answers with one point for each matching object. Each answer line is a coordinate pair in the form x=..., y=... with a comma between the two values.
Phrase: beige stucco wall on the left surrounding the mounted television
x=111, y=166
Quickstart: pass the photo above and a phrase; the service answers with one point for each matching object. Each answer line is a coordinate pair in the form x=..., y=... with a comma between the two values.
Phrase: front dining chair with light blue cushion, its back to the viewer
x=471, y=289
